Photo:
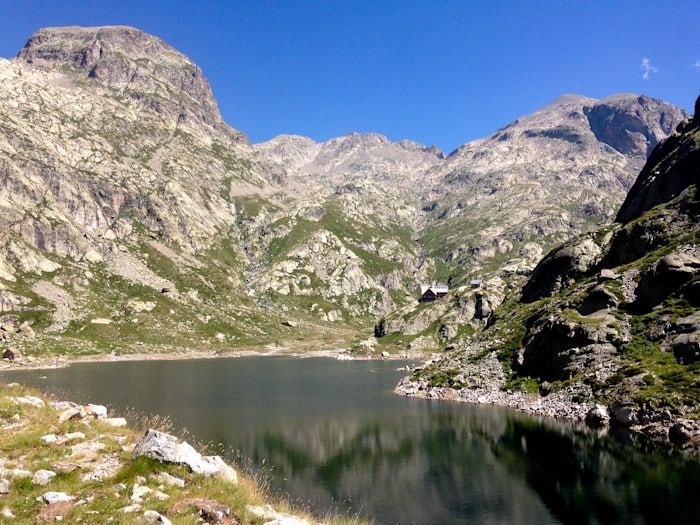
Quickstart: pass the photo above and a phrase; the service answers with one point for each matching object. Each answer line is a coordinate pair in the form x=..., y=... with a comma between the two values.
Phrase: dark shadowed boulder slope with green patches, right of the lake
x=610, y=316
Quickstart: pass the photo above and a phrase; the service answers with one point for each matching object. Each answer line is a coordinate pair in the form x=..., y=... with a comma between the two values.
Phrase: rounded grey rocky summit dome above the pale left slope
x=132, y=62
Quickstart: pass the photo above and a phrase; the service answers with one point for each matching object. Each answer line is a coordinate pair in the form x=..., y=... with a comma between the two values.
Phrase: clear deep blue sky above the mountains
x=437, y=72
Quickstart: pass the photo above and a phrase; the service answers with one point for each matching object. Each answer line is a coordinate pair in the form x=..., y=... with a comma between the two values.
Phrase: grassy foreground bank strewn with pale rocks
x=60, y=461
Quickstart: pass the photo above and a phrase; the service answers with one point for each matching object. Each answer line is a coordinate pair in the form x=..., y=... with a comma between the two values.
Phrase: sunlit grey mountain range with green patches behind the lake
x=131, y=213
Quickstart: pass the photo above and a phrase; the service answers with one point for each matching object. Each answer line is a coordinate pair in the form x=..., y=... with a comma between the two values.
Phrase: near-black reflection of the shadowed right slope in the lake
x=585, y=480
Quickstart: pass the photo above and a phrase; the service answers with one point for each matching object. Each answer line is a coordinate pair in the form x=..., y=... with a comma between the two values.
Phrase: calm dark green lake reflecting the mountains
x=332, y=436
